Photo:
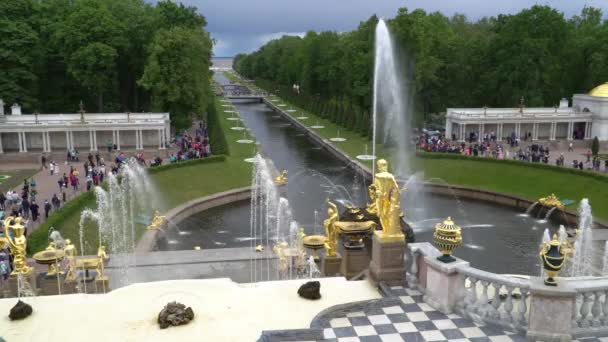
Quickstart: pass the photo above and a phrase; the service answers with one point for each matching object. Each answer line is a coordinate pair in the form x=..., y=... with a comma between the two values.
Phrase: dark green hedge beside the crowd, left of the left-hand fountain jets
x=39, y=239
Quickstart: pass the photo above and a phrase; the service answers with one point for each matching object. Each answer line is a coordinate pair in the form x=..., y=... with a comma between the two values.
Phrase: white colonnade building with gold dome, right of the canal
x=585, y=119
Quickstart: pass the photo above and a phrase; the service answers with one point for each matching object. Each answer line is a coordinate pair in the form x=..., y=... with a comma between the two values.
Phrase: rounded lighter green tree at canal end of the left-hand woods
x=177, y=73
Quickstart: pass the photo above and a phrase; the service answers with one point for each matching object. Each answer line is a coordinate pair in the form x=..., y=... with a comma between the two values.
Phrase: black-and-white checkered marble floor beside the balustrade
x=410, y=319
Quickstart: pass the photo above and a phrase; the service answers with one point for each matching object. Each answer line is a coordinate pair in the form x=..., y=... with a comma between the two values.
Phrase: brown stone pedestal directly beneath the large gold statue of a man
x=388, y=263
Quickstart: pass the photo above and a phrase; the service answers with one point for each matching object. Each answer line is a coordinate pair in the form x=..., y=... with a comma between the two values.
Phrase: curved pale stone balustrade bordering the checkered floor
x=577, y=307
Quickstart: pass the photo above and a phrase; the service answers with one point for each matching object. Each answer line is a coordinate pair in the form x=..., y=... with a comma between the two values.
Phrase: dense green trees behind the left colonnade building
x=114, y=55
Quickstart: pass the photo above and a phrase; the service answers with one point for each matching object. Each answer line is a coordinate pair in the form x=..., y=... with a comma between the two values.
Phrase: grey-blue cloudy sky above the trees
x=245, y=25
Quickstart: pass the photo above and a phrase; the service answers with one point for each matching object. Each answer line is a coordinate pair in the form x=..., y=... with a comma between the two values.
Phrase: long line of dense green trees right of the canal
x=537, y=54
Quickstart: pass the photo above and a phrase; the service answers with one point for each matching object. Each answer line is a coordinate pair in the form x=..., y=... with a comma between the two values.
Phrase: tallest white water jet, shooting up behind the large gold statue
x=392, y=101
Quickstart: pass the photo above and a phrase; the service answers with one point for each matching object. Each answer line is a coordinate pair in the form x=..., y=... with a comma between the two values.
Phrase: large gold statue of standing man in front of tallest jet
x=388, y=200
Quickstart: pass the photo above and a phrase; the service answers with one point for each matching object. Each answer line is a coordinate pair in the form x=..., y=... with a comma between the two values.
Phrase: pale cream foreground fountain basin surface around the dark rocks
x=129, y=313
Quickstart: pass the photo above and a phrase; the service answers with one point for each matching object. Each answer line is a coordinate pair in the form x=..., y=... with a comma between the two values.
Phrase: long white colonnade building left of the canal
x=82, y=131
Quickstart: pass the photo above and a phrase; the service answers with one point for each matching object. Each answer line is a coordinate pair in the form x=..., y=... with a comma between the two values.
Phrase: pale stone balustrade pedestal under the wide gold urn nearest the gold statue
x=443, y=283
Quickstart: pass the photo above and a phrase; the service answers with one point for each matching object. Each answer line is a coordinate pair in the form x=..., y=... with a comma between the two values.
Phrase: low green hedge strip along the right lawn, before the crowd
x=563, y=169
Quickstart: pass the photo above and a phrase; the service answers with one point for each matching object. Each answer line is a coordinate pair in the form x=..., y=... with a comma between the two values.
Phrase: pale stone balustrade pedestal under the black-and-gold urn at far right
x=550, y=311
